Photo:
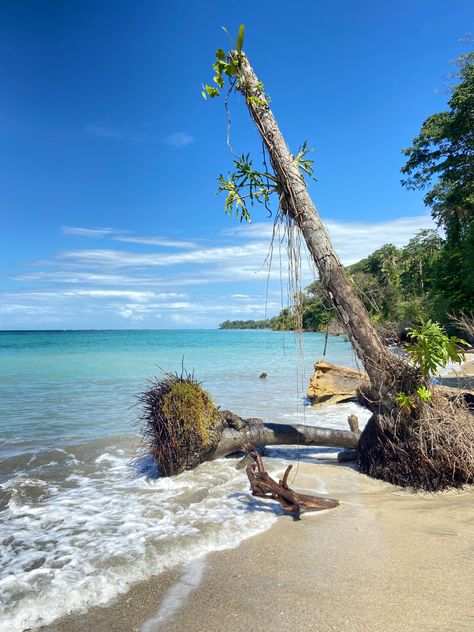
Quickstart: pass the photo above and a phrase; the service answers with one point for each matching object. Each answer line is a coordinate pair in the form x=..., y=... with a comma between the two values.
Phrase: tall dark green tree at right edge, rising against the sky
x=442, y=158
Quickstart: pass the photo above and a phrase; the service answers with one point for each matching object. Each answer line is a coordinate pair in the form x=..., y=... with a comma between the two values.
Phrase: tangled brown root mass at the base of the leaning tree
x=430, y=449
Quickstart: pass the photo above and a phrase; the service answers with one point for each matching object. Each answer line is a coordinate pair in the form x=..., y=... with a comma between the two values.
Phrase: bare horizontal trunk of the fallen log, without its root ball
x=261, y=435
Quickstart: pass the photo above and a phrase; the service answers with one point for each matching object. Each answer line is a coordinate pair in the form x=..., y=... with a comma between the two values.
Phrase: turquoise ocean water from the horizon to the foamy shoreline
x=78, y=523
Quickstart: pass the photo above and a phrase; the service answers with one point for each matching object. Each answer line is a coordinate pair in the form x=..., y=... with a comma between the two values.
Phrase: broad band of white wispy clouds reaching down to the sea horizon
x=191, y=285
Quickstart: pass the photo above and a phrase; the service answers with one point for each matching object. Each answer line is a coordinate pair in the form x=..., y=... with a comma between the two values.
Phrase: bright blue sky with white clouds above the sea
x=109, y=155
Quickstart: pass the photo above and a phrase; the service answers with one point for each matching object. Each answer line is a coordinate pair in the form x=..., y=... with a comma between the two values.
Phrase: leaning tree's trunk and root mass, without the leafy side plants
x=431, y=447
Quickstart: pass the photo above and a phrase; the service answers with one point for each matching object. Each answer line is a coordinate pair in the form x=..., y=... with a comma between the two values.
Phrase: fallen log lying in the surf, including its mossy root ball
x=183, y=427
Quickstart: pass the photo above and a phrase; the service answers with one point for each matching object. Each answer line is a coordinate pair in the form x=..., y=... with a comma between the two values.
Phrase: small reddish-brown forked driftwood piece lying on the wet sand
x=262, y=485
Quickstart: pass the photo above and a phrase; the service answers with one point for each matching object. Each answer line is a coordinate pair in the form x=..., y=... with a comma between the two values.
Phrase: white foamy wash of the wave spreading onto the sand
x=69, y=547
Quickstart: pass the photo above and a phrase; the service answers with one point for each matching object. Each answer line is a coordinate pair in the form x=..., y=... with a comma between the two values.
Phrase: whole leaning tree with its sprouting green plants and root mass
x=392, y=428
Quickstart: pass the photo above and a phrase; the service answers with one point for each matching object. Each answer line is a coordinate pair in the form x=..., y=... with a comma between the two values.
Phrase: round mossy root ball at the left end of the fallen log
x=180, y=422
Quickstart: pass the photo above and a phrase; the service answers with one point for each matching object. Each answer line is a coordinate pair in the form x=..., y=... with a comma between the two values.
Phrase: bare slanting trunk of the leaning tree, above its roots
x=296, y=202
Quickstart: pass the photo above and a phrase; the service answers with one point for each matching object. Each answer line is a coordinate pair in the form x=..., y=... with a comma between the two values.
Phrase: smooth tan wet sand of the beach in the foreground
x=385, y=560
